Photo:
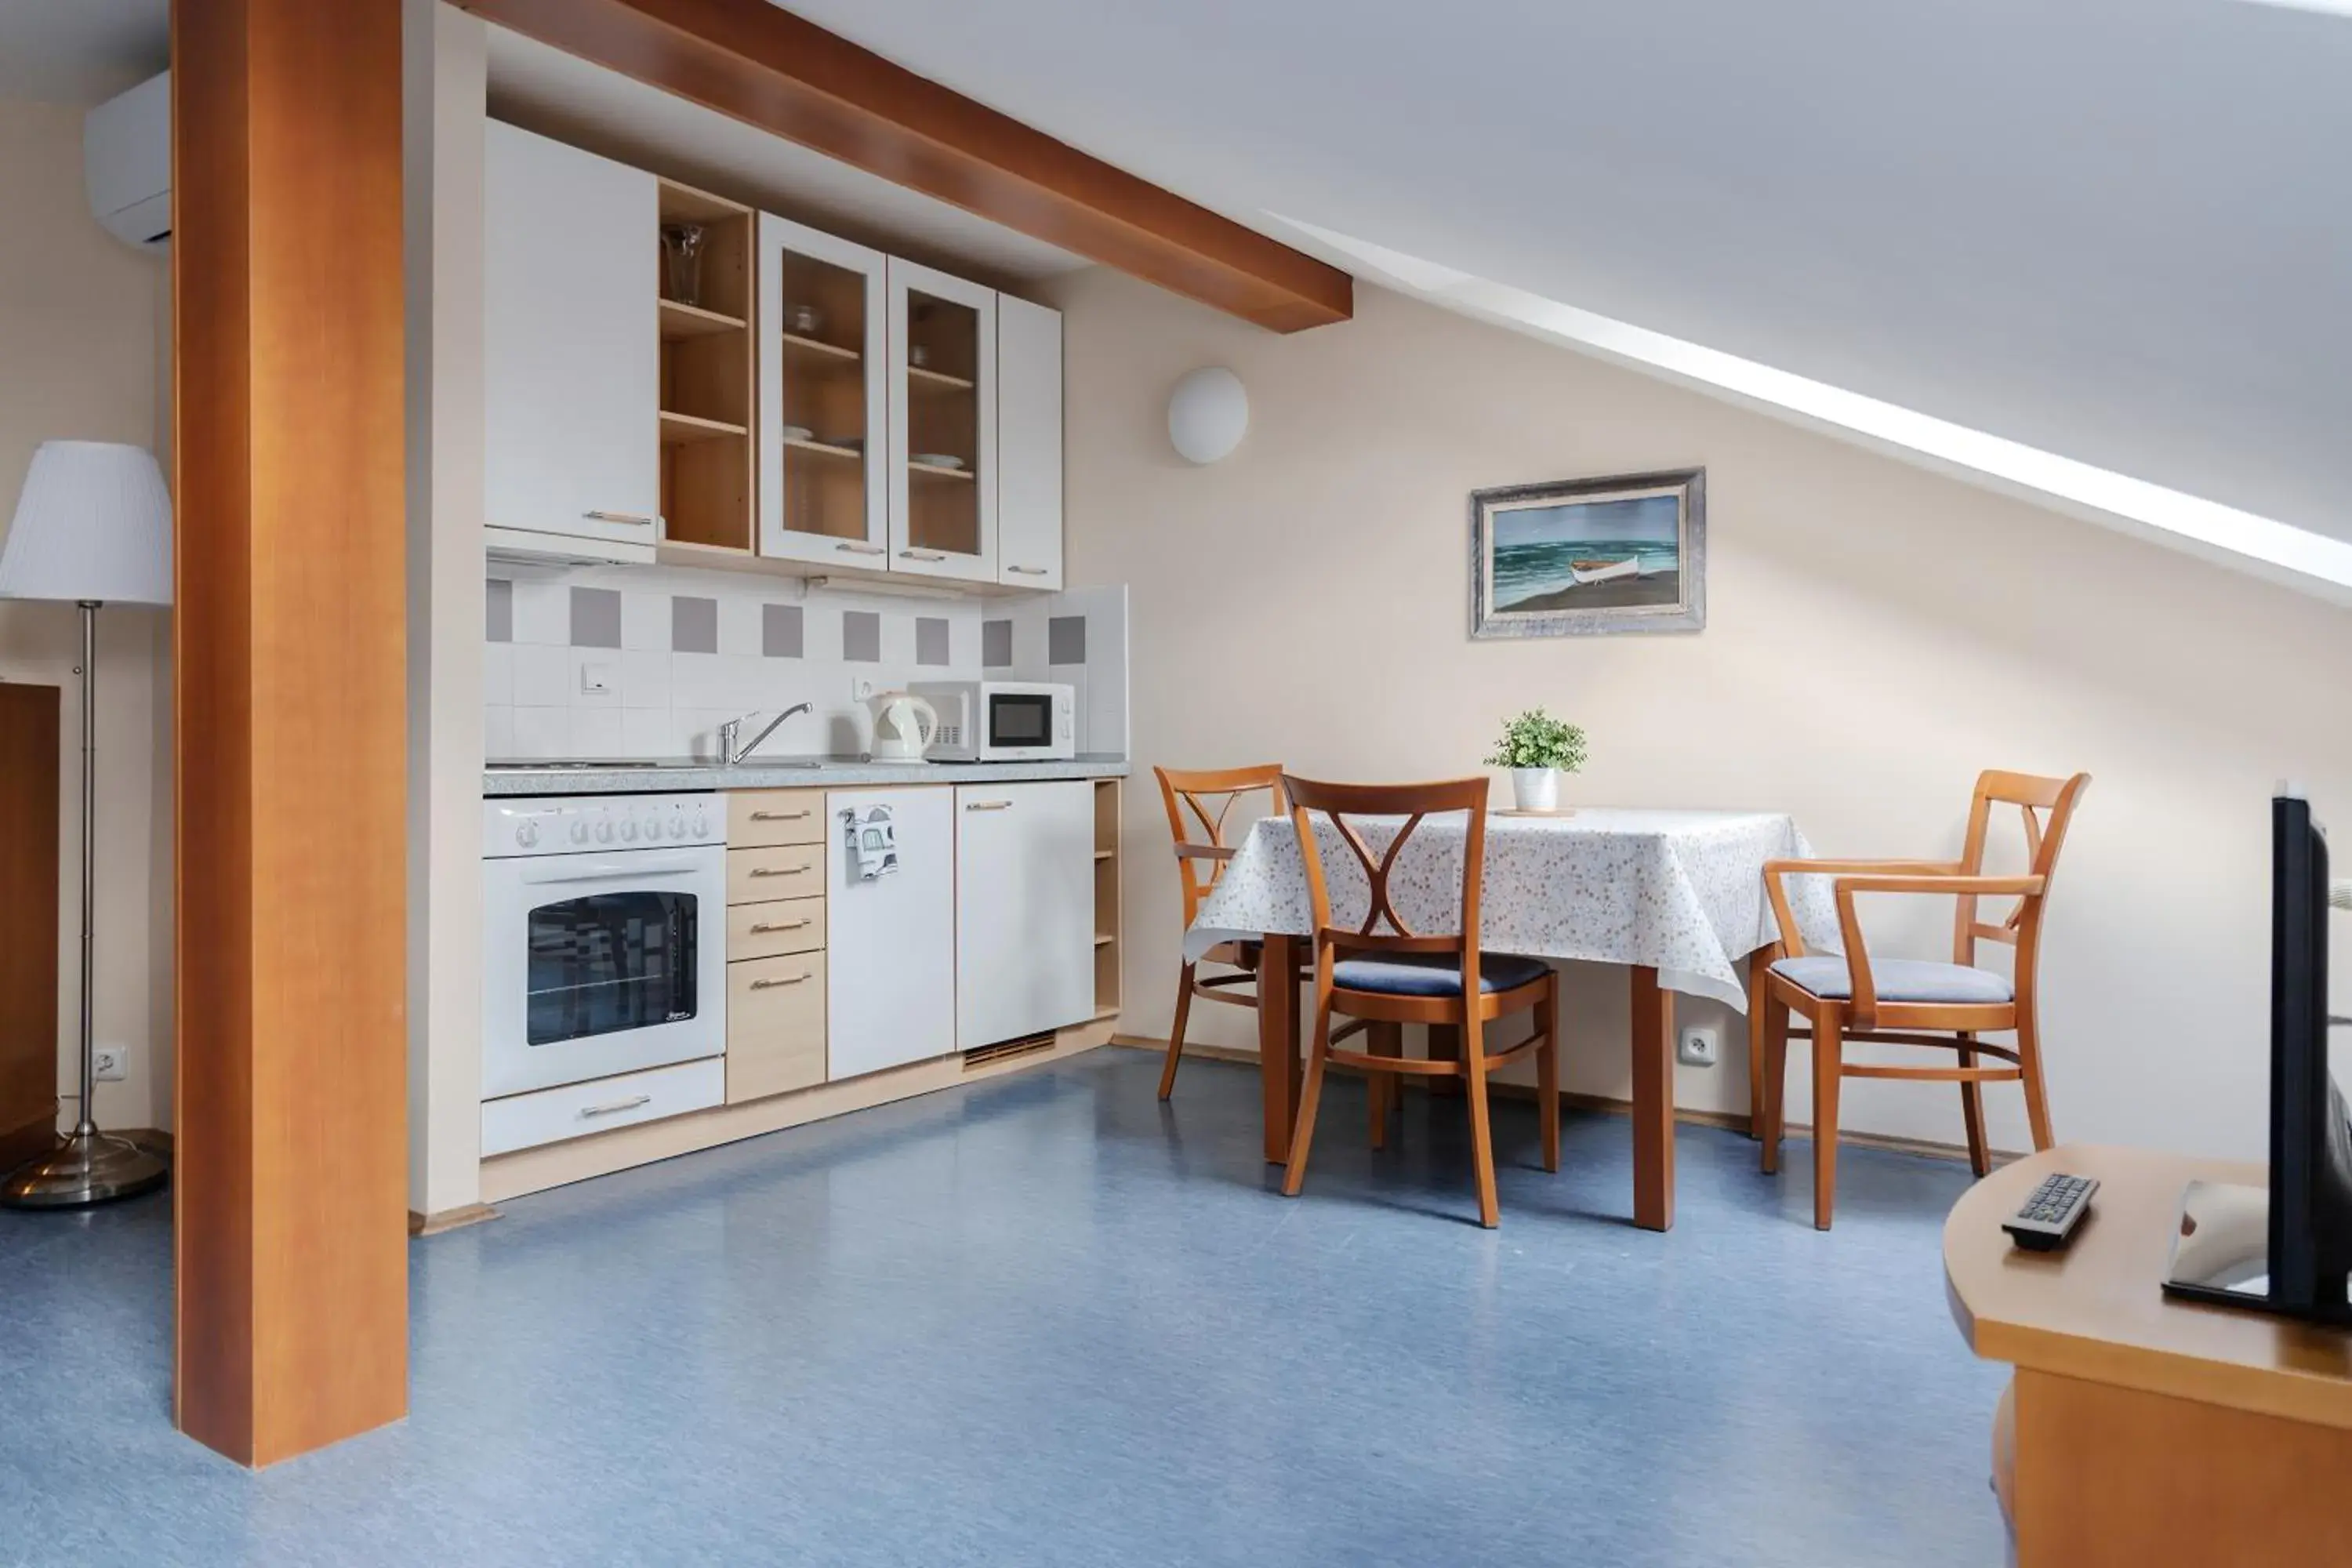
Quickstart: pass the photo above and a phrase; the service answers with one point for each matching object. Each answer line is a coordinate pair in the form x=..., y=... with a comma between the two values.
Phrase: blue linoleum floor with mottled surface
x=1053, y=1322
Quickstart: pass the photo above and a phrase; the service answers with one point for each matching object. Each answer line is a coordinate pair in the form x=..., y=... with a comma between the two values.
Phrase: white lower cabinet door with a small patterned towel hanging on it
x=890, y=944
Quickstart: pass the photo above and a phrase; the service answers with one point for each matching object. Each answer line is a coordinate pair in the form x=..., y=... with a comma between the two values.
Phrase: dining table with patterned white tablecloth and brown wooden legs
x=1671, y=894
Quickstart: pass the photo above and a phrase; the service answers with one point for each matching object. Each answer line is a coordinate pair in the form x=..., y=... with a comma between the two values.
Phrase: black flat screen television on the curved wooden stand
x=2290, y=1247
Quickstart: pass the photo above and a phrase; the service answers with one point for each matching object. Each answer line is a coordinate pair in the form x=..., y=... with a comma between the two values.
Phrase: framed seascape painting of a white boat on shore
x=1591, y=556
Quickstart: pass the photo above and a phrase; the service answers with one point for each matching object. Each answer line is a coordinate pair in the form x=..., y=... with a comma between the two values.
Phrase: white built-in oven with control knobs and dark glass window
x=603, y=937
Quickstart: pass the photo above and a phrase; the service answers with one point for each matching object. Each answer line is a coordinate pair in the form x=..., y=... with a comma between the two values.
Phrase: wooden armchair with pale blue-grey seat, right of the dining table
x=1918, y=1003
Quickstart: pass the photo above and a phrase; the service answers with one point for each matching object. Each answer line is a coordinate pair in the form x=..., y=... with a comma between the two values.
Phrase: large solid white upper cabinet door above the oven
x=570, y=344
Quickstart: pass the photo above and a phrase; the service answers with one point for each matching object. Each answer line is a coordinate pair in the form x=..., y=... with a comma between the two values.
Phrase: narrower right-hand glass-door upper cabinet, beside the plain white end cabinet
x=942, y=424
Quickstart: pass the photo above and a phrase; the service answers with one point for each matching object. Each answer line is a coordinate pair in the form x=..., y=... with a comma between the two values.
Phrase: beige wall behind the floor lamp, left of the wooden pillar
x=81, y=321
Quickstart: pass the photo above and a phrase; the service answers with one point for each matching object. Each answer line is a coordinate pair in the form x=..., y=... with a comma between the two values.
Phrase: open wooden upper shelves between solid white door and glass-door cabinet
x=707, y=377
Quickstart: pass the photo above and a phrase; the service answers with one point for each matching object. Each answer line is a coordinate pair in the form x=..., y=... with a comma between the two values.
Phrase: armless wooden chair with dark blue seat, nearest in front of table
x=1398, y=977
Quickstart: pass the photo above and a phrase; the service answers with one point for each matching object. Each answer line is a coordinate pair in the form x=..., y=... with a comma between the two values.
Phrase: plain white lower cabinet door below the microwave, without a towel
x=1024, y=909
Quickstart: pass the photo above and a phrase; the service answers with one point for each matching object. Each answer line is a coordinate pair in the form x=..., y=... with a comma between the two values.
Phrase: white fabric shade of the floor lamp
x=93, y=523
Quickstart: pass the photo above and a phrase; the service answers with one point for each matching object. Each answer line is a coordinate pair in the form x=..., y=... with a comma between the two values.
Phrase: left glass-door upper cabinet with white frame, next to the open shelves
x=824, y=398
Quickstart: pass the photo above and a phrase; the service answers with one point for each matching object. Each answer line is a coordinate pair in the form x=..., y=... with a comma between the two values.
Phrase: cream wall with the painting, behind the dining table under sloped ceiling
x=1876, y=636
